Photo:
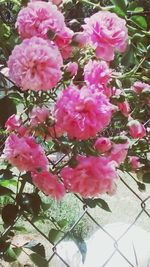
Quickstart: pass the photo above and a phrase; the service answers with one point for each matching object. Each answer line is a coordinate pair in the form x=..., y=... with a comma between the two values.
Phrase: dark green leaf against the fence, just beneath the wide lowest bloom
x=92, y=203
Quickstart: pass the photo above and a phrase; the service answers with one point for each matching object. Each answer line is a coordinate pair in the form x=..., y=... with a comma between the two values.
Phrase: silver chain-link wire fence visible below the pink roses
x=144, y=209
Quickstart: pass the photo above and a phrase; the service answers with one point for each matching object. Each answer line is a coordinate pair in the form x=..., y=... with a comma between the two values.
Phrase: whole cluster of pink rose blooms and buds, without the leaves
x=36, y=64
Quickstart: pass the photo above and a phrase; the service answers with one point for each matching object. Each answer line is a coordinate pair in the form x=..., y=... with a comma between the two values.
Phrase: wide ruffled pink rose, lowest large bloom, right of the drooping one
x=91, y=176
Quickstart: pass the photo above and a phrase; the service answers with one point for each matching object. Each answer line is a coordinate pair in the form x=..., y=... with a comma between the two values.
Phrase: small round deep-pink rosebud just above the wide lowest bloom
x=103, y=144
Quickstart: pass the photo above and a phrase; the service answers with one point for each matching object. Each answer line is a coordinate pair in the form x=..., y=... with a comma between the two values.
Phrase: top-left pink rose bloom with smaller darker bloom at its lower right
x=39, y=18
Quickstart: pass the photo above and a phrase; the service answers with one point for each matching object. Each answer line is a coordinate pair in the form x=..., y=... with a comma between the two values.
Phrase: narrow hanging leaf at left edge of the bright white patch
x=79, y=241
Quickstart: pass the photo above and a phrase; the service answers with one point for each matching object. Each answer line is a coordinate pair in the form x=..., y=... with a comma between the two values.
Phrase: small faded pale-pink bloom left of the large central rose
x=39, y=115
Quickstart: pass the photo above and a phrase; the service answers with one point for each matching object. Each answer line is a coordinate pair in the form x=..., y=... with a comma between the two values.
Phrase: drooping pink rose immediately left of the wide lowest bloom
x=49, y=184
